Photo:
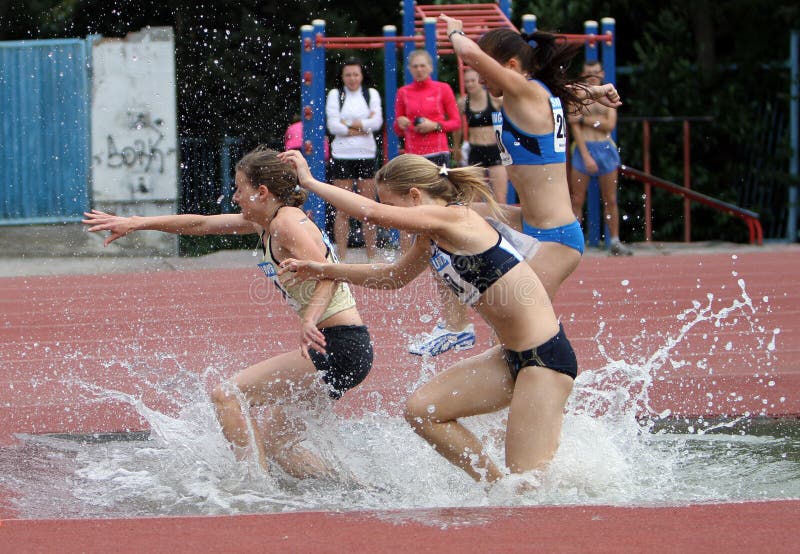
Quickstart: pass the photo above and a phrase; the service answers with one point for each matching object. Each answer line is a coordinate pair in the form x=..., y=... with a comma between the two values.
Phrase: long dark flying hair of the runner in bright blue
x=548, y=61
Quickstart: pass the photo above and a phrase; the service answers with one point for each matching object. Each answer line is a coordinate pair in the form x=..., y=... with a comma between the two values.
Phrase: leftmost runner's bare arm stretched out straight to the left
x=182, y=224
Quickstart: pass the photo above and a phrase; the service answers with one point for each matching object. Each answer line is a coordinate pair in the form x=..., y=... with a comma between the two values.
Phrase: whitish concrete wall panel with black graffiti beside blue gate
x=135, y=131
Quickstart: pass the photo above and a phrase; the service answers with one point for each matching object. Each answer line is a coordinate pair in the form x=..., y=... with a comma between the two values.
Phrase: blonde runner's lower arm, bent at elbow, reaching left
x=373, y=276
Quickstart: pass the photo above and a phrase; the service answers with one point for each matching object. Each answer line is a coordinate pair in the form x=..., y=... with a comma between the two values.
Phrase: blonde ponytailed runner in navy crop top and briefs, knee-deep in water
x=530, y=371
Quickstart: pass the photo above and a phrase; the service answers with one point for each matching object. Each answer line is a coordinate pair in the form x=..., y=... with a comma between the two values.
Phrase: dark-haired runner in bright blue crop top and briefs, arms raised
x=531, y=131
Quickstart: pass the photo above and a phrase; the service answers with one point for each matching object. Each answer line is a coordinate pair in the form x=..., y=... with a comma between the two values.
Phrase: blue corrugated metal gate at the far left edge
x=44, y=131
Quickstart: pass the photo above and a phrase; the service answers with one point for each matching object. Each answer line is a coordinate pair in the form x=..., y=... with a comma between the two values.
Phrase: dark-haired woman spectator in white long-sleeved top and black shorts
x=353, y=112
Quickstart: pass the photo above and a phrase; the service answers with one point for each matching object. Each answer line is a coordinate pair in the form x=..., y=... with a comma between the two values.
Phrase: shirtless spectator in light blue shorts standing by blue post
x=596, y=155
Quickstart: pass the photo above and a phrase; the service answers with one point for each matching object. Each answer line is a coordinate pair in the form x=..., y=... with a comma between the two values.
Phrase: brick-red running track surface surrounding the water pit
x=100, y=329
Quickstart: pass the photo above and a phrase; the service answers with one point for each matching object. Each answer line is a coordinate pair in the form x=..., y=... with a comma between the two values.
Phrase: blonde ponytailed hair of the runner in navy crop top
x=459, y=185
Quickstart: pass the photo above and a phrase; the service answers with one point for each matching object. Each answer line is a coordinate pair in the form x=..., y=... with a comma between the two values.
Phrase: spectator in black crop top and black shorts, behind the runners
x=477, y=106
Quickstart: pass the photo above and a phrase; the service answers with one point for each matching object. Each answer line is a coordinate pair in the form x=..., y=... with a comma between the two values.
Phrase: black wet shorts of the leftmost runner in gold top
x=347, y=359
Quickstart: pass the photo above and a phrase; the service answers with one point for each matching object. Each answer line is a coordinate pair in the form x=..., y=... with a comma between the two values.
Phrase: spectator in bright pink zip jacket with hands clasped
x=425, y=111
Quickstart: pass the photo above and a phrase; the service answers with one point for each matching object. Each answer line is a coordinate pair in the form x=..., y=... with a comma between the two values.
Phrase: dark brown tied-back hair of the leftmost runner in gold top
x=261, y=166
